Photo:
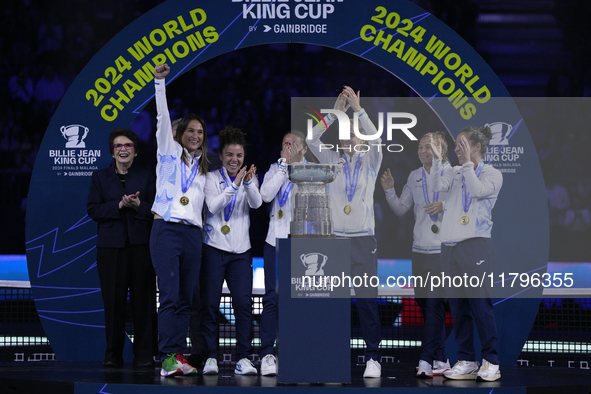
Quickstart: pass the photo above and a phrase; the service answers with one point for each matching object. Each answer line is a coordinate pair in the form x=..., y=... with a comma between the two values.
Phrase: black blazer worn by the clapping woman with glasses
x=105, y=193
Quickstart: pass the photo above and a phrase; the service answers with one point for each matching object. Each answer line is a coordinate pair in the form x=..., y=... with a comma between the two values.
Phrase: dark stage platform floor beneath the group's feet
x=91, y=377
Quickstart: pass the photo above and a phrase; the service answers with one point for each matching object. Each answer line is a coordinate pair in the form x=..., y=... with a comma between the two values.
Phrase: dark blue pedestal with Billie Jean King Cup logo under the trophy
x=314, y=326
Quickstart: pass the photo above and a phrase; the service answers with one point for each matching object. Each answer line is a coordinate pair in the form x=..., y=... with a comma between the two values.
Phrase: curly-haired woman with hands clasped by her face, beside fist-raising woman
x=230, y=193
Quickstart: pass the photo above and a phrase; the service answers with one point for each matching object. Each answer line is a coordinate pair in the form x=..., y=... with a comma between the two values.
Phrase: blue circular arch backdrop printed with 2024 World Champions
x=114, y=87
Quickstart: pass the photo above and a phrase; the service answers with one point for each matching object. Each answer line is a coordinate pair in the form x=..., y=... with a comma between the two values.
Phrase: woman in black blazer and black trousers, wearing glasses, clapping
x=120, y=200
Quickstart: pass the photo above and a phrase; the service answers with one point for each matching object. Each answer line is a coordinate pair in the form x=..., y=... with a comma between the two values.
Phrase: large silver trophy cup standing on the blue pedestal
x=311, y=215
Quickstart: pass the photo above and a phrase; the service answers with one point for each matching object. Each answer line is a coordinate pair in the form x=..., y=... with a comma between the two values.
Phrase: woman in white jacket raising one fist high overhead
x=175, y=242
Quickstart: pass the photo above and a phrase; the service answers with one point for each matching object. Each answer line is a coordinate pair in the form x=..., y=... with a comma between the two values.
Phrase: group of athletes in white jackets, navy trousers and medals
x=452, y=208
